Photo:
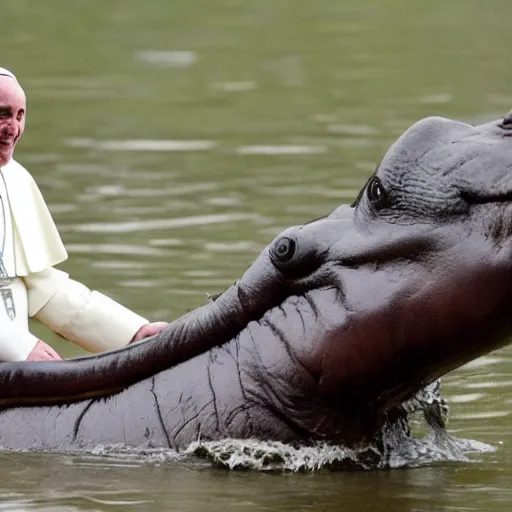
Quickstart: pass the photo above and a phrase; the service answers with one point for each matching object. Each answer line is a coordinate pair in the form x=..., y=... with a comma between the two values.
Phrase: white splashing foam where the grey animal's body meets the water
x=393, y=447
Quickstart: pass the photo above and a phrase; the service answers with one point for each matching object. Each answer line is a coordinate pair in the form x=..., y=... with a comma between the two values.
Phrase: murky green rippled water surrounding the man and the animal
x=173, y=140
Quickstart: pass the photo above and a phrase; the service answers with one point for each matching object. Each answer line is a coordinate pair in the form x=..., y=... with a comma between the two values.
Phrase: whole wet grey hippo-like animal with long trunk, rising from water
x=334, y=326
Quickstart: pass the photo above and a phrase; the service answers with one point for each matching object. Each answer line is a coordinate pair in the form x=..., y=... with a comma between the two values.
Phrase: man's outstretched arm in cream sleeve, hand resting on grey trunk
x=88, y=318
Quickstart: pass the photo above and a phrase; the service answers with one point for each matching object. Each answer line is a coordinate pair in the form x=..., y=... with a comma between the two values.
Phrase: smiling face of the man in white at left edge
x=12, y=116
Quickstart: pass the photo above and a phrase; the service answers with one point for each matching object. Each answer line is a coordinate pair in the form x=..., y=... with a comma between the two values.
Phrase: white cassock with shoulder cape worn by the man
x=30, y=246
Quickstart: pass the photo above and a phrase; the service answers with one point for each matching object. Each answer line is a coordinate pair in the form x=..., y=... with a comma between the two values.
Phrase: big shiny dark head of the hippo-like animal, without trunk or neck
x=412, y=281
